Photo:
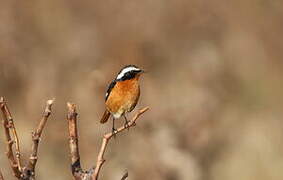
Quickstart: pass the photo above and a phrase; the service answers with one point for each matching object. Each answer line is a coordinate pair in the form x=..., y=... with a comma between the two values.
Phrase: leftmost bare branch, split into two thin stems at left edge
x=9, y=126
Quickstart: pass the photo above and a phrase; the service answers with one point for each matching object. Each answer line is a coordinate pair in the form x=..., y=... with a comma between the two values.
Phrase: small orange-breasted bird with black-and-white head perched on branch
x=122, y=94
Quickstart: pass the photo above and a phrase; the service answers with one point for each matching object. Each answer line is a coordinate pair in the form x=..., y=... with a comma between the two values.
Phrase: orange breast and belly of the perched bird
x=123, y=97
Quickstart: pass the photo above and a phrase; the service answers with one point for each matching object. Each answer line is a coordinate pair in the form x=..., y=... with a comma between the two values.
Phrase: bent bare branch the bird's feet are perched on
x=106, y=139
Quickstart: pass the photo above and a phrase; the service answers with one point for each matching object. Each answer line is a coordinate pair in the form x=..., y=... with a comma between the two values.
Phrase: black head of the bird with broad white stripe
x=128, y=72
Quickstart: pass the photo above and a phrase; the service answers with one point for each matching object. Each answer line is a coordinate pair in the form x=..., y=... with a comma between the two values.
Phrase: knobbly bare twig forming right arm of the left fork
x=36, y=136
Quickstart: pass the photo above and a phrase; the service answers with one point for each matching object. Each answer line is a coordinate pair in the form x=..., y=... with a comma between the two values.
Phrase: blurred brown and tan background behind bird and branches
x=214, y=85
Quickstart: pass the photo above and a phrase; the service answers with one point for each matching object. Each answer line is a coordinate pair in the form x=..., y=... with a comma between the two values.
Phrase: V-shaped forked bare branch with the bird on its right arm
x=77, y=171
